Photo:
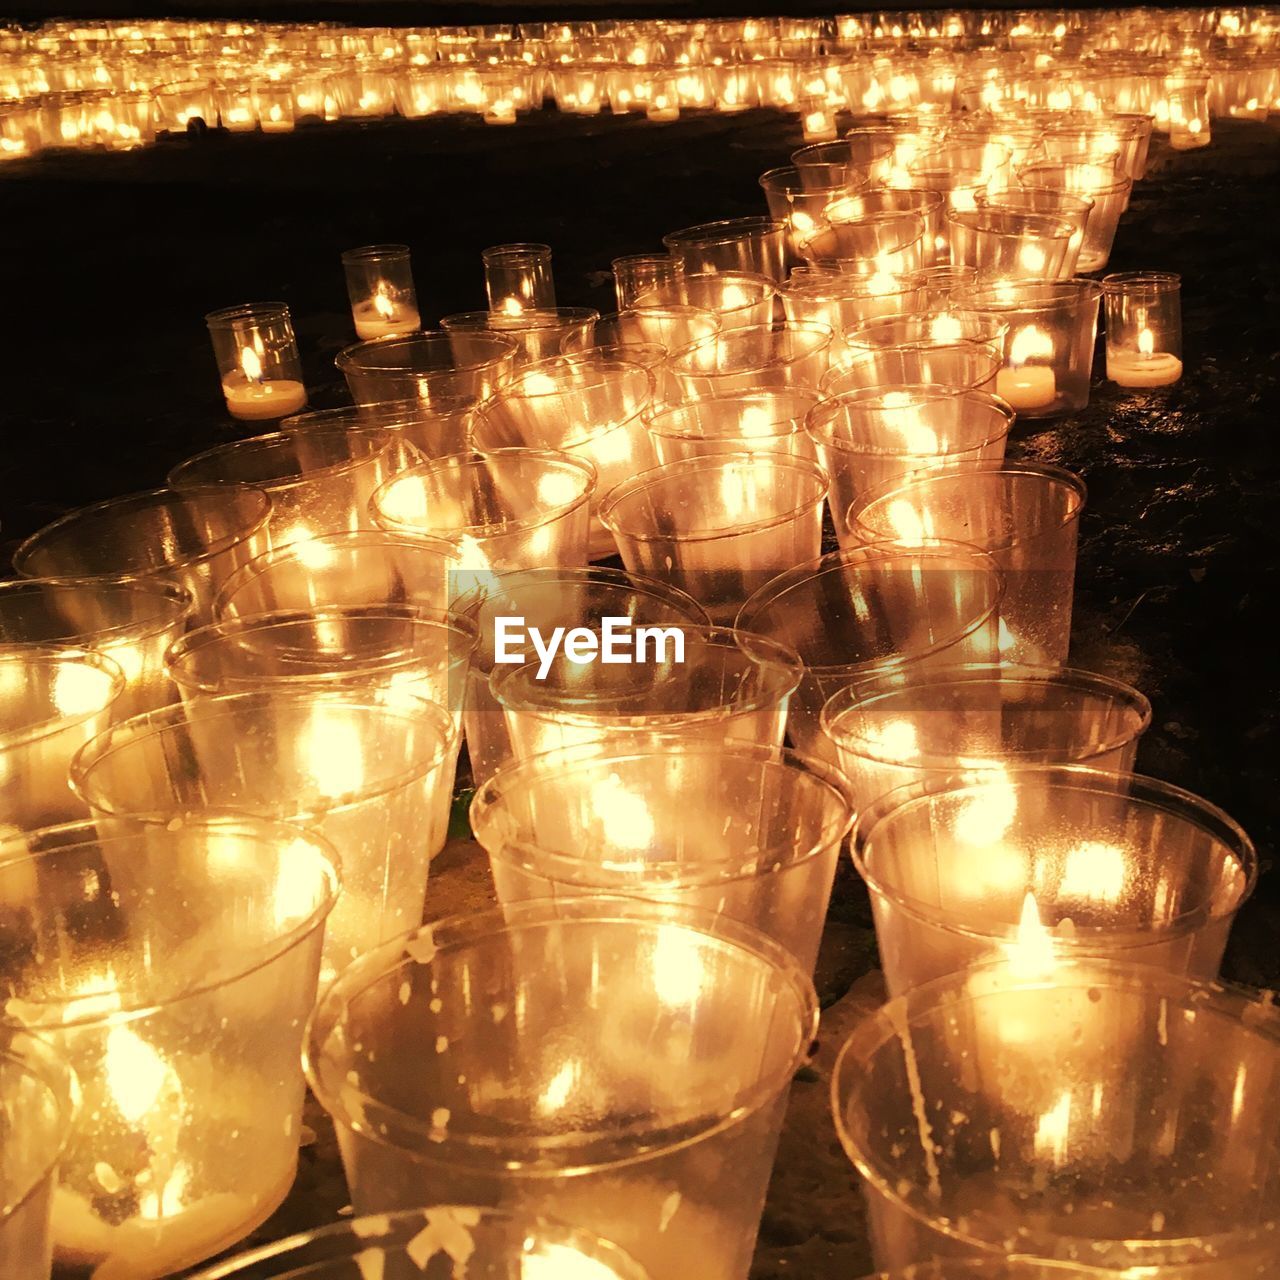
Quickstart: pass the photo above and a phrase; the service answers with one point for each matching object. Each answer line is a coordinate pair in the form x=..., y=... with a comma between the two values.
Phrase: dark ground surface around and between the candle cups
x=112, y=263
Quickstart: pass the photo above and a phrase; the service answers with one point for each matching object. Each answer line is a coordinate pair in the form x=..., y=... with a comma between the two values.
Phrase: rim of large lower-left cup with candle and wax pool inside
x=66, y=838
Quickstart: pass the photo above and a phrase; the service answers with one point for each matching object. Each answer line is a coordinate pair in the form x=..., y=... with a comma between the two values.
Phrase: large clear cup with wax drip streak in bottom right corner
x=1028, y=1082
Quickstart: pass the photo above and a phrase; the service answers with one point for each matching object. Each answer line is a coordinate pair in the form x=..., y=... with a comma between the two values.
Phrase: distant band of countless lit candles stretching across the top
x=120, y=86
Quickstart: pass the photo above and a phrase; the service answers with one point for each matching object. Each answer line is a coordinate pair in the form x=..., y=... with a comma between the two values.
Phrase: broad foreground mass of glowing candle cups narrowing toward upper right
x=234, y=711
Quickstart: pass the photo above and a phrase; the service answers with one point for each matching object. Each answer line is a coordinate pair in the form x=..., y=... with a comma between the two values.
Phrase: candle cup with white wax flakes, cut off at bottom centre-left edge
x=493, y=1245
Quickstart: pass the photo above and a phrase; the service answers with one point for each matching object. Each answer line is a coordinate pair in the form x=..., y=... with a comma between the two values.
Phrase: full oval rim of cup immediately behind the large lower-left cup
x=176, y=716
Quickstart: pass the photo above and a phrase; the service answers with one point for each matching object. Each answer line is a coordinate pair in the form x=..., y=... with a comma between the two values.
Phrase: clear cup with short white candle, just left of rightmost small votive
x=1049, y=353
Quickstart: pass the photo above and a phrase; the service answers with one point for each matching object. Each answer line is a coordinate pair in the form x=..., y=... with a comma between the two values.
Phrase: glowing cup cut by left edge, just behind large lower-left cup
x=53, y=701
